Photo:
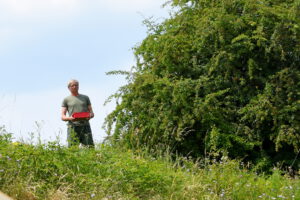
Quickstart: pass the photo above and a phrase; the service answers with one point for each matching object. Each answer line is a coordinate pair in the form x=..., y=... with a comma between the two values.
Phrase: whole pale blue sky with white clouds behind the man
x=44, y=44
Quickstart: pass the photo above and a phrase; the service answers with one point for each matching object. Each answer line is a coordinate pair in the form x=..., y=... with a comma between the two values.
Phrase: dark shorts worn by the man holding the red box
x=80, y=134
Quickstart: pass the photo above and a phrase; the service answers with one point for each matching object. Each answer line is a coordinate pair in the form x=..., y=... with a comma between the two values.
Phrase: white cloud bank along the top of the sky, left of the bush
x=24, y=20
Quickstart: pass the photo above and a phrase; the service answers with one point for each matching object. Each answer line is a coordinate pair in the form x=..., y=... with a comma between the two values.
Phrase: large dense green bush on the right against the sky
x=217, y=77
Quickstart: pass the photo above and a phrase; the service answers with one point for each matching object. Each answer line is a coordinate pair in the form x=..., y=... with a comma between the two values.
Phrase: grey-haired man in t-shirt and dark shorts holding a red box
x=79, y=131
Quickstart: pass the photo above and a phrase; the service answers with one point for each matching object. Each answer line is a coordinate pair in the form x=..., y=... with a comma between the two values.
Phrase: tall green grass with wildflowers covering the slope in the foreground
x=51, y=171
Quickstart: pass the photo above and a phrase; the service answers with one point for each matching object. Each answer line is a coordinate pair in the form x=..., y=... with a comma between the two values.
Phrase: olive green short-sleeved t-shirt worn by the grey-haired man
x=76, y=104
